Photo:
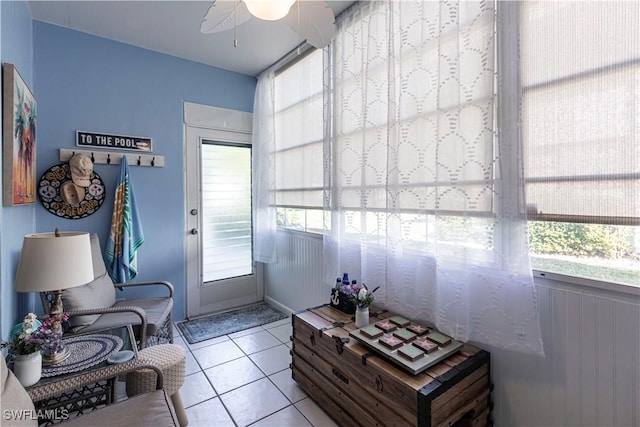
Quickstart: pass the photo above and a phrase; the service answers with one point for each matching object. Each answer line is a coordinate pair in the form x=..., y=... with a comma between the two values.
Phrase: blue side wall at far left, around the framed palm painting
x=16, y=47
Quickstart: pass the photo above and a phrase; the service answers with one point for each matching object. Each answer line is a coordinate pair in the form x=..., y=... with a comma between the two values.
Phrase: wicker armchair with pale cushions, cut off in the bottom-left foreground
x=149, y=409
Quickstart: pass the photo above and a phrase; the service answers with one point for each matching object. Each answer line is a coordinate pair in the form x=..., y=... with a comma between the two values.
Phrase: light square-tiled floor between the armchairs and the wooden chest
x=244, y=379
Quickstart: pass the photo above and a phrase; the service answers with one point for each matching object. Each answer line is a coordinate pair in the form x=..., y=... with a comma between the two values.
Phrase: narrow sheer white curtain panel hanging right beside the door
x=264, y=174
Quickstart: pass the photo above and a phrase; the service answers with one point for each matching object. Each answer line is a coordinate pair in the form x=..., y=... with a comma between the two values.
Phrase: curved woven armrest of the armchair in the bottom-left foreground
x=55, y=388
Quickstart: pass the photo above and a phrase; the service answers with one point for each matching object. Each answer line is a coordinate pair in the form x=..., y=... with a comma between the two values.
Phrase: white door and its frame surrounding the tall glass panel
x=223, y=125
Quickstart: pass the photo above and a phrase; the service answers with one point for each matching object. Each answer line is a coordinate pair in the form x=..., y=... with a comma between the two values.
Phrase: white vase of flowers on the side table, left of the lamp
x=24, y=347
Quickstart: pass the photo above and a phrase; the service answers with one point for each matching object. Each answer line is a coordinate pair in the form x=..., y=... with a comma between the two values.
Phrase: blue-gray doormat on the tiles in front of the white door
x=216, y=325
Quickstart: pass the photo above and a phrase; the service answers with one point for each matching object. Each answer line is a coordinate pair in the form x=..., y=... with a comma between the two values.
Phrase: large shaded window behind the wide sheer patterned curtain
x=413, y=153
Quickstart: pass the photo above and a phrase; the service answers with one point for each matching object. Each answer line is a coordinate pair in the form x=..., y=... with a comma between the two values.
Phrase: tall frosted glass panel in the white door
x=226, y=211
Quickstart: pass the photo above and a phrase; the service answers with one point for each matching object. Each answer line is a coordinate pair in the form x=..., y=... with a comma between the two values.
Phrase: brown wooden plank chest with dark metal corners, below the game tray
x=358, y=386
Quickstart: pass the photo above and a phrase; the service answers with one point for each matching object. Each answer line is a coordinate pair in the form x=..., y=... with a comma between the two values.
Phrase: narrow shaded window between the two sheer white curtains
x=299, y=127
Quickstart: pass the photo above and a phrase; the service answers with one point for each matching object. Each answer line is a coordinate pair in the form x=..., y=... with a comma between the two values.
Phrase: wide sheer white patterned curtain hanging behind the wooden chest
x=425, y=189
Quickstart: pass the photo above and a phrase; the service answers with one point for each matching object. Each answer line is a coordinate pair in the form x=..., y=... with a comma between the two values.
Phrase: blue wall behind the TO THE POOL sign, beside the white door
x=83, y=82
